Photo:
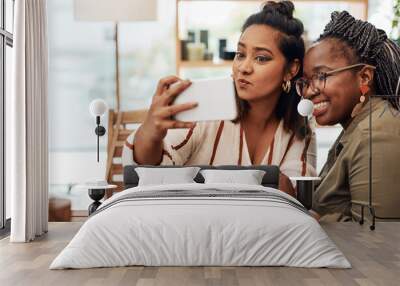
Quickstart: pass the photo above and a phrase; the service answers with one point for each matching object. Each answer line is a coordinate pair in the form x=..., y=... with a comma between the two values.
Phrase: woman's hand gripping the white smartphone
x=159, y=117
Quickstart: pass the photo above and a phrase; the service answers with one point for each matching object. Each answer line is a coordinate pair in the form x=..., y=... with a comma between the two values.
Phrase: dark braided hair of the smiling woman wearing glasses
x=369, y=45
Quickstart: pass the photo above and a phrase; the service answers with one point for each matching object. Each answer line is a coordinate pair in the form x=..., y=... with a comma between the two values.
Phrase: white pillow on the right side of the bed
x=248, y=177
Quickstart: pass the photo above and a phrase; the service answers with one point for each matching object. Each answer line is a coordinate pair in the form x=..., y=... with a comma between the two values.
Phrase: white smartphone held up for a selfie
x=215, y=97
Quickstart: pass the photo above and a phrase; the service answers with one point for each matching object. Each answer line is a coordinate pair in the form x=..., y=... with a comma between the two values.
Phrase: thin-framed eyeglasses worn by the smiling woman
x=318, y=80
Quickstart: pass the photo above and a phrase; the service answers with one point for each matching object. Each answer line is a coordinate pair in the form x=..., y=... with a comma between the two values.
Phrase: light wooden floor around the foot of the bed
x=375, y=256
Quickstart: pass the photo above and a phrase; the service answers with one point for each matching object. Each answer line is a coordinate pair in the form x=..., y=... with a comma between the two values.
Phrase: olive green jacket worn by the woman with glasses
x=345, y=175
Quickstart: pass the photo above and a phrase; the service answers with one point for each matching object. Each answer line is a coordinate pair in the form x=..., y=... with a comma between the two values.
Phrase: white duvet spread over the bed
x=183, y=231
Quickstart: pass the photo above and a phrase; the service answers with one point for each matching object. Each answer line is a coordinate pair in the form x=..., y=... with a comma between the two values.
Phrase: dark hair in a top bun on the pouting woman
x=279, y=15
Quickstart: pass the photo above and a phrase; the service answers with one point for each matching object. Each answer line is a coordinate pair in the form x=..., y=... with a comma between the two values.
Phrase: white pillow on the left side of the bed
x=162, y=176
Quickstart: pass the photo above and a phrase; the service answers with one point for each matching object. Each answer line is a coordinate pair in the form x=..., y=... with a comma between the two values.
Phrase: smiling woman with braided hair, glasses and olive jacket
x=351, y=61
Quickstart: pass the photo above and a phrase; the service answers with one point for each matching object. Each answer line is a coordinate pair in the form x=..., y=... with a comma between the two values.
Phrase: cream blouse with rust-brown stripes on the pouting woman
x=224, y=143
